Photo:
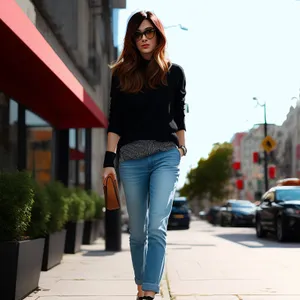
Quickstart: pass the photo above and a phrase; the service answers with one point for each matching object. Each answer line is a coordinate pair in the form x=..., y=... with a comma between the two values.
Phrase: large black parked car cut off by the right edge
x=279, y=213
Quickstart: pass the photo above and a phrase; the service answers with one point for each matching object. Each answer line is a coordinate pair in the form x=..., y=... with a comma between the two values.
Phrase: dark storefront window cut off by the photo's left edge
x=8, y=133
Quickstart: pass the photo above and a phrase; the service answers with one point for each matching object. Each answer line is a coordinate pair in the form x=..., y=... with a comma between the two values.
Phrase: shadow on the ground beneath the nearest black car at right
x=251, y=241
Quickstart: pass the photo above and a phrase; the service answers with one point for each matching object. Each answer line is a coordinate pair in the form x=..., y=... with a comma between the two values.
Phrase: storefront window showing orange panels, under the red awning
x=39, y=147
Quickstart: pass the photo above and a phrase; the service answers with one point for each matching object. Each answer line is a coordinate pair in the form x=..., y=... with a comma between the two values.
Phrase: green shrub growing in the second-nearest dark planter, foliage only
x=58, y=205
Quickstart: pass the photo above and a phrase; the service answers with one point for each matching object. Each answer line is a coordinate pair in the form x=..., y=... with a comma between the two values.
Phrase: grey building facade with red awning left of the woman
x=54, y=87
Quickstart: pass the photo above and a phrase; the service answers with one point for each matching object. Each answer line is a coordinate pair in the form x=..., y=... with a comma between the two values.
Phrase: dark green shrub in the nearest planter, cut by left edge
x=16, y=200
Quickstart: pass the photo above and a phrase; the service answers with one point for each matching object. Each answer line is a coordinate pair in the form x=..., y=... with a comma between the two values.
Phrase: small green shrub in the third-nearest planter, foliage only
x=76, y=206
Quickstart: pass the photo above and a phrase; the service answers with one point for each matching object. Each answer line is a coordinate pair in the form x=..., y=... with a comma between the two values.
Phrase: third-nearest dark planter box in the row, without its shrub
x=74, y=236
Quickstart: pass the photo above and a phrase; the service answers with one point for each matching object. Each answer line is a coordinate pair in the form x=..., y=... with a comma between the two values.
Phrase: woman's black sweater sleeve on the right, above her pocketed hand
x=179, y=103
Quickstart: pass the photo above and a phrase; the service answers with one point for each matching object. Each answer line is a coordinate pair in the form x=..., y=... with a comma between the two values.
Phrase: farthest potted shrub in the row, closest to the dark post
x=89, y=218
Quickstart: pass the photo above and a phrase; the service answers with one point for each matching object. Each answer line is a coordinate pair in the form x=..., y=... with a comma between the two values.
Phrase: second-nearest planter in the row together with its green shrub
x=54, y=193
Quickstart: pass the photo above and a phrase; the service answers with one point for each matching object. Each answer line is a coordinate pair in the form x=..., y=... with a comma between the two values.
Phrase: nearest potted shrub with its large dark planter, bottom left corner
x=20, y=256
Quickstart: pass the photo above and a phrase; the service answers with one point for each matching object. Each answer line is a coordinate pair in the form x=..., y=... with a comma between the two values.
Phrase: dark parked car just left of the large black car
x=238, y=212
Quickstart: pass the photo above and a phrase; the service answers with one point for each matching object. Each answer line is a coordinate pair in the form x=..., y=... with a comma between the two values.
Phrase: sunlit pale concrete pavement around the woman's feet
x=205, y=262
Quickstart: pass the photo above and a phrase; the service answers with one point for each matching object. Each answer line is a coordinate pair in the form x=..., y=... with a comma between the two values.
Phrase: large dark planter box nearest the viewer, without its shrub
x=21, y=264
